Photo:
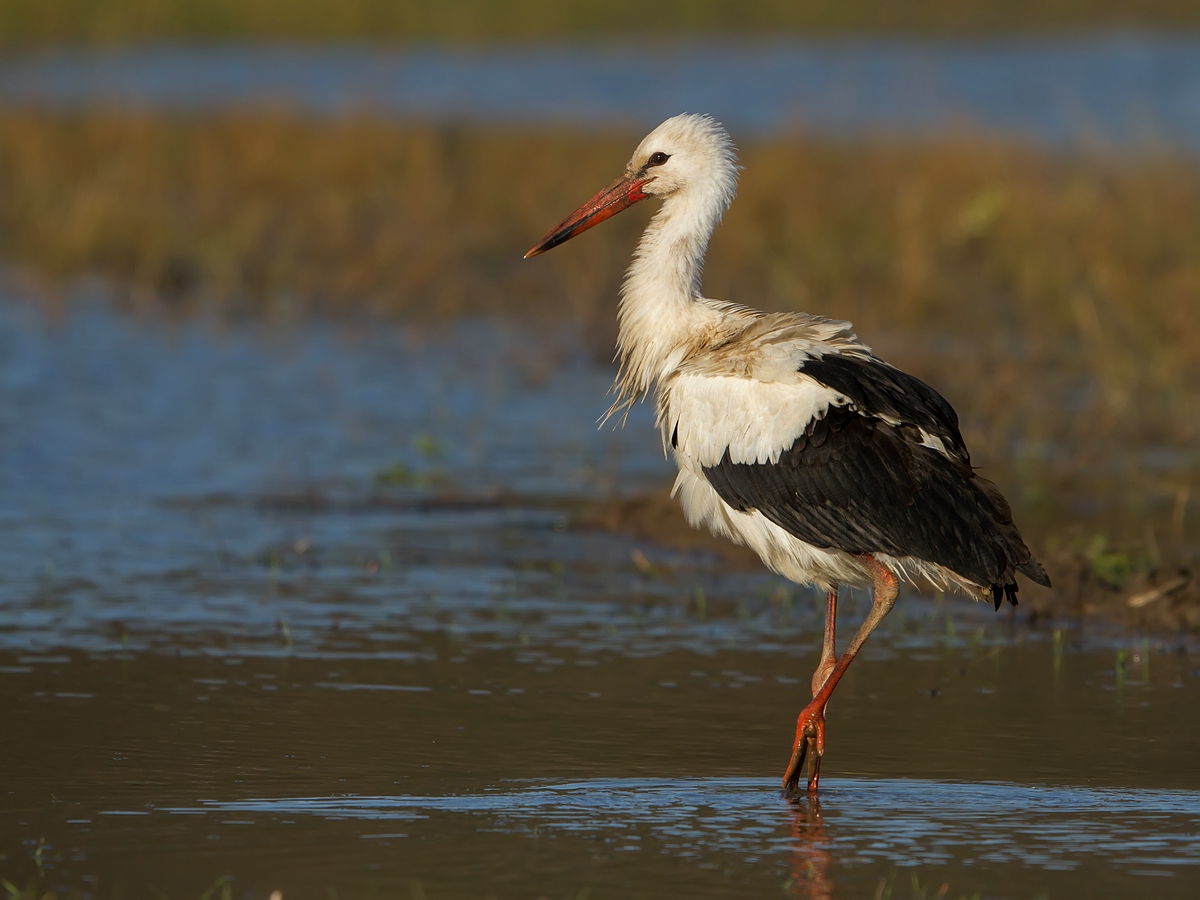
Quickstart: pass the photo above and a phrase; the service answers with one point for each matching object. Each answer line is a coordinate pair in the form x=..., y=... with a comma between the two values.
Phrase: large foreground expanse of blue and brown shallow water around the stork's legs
x=310, y=610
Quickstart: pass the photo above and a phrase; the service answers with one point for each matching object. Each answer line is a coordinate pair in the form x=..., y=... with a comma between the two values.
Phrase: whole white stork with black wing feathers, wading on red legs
x=791, y=437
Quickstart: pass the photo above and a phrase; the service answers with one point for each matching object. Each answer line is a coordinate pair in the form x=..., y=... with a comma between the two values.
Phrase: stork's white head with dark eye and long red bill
x=688, y=157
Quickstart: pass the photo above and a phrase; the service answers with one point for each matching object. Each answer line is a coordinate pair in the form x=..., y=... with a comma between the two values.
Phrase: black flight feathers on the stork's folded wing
x=855, y=483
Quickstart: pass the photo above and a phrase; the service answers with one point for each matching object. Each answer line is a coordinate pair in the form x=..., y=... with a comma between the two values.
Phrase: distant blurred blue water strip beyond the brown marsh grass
x=1123, y=91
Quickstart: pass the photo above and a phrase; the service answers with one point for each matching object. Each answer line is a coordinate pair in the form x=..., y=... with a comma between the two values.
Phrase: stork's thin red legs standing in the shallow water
x=811, y=725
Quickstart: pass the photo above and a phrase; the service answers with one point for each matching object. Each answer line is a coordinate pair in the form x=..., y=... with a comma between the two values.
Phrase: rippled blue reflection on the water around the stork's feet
x=907, y=823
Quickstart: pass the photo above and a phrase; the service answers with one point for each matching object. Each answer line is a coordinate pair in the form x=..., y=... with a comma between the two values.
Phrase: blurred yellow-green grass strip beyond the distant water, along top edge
x=25, y=22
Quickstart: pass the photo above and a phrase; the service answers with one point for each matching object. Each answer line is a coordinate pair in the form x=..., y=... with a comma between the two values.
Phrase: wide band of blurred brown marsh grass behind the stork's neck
x=1055, y=301
